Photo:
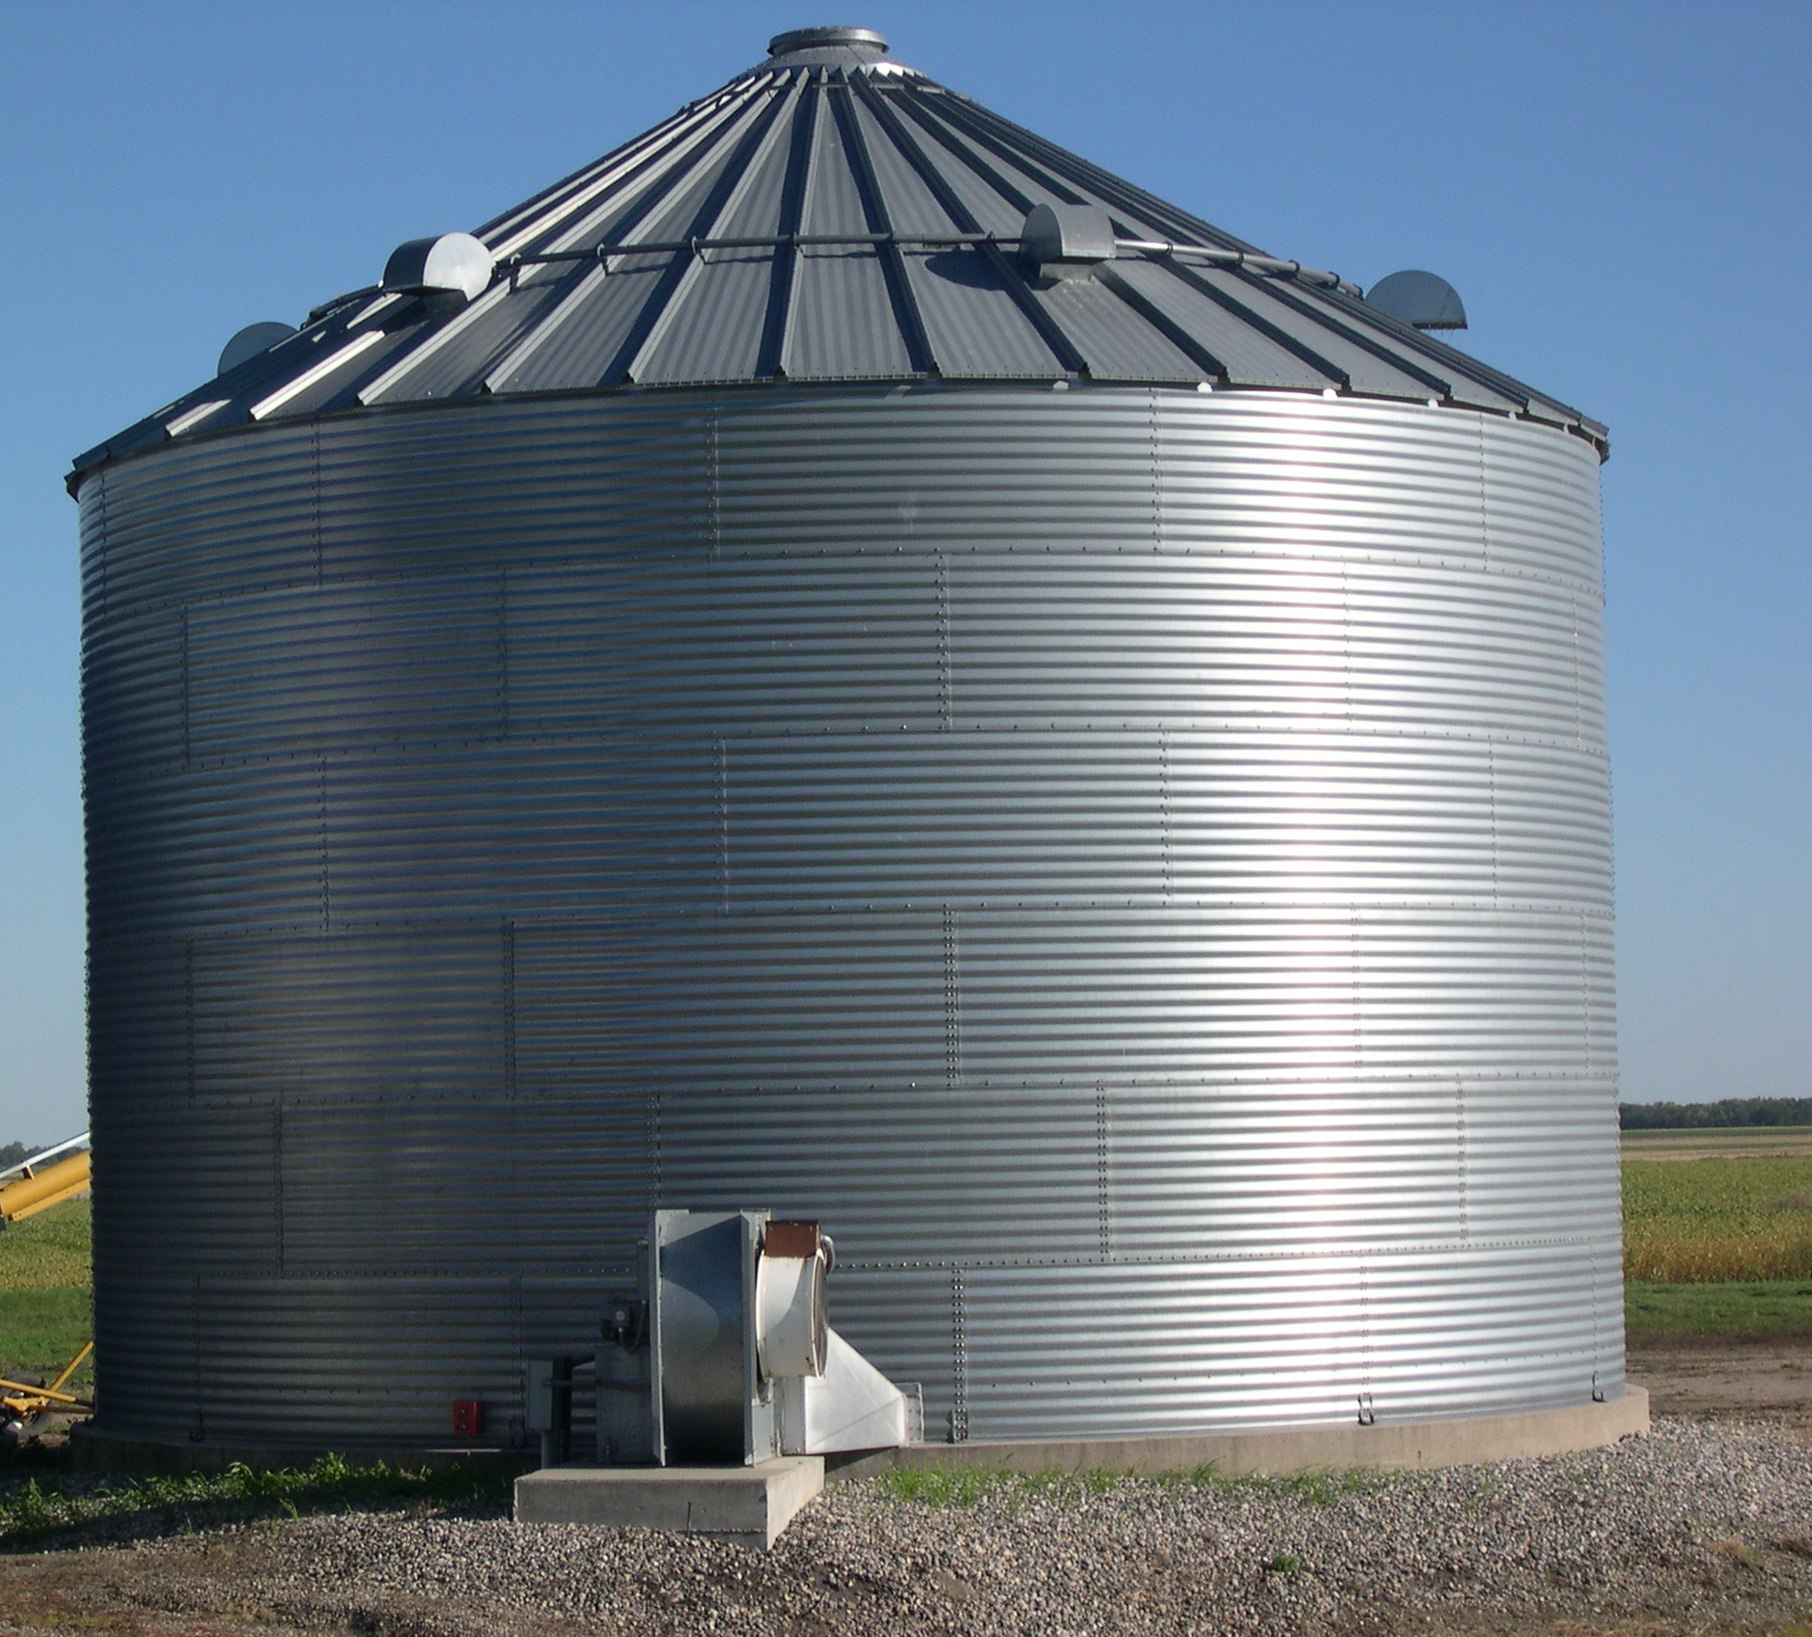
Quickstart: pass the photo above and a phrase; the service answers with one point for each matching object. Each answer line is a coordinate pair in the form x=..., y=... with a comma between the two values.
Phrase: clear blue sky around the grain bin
x=1619, y=188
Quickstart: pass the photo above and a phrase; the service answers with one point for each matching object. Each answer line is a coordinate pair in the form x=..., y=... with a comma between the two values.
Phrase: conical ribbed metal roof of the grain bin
x=836, y=217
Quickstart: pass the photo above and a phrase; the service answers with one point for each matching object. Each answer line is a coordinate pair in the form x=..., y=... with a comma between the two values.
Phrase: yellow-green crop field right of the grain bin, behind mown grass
x=1719, y=1221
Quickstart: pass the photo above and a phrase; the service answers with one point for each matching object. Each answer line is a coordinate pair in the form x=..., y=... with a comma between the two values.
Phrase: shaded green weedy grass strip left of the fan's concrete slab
x=32, y=1511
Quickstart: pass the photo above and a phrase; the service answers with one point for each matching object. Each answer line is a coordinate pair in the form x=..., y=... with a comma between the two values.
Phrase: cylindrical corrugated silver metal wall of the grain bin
x=1137, y=864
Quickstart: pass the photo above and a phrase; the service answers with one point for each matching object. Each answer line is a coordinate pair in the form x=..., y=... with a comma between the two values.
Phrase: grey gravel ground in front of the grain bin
x=1695, y=1527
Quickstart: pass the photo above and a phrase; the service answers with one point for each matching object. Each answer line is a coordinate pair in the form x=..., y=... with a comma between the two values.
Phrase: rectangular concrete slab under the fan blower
x=747, y=1506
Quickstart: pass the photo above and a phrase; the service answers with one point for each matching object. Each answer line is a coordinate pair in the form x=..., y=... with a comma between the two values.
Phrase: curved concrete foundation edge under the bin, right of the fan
x=1436, y=1442
